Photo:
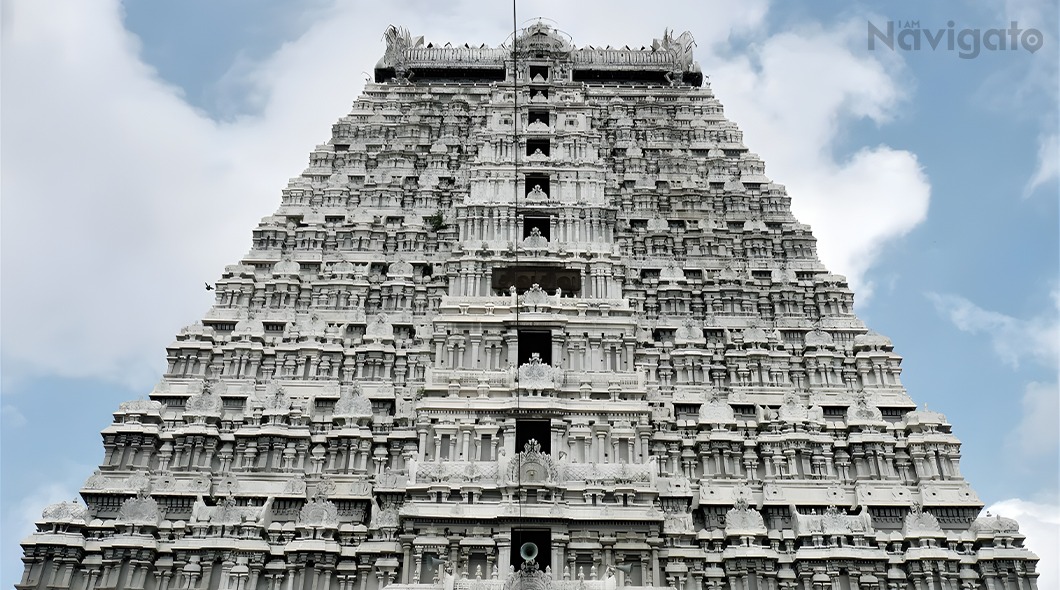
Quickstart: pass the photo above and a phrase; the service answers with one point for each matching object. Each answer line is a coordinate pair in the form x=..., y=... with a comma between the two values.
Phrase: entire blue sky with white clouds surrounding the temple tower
x=142, y=142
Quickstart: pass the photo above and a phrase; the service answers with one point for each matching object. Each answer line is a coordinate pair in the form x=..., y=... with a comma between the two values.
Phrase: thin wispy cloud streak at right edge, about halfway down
x=1014, y=341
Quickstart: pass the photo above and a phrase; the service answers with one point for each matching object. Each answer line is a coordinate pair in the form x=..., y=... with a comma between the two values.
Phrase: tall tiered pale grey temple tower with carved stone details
x=534, y=316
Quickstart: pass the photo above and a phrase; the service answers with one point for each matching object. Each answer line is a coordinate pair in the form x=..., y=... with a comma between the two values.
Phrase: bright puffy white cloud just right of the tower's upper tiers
x=792, y=96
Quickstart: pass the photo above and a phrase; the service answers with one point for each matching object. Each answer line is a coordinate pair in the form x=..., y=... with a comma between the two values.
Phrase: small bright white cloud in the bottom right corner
x=1040, y=523
